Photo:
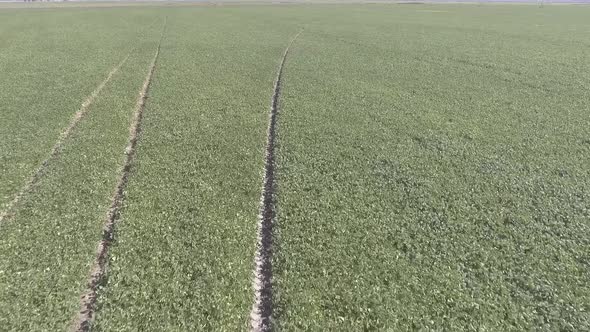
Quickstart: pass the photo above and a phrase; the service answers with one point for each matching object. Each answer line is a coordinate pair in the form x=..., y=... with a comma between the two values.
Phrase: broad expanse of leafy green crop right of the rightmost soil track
x=433, y=172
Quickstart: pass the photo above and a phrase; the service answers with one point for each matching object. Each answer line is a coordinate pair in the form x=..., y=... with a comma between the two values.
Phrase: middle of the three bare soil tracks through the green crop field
x=88, y=299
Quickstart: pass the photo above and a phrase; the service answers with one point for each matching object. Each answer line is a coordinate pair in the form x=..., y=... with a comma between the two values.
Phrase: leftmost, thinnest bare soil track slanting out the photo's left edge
x=61, y=140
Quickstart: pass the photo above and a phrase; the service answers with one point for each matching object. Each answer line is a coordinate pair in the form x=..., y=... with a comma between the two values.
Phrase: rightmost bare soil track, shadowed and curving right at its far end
x=260, y=316
